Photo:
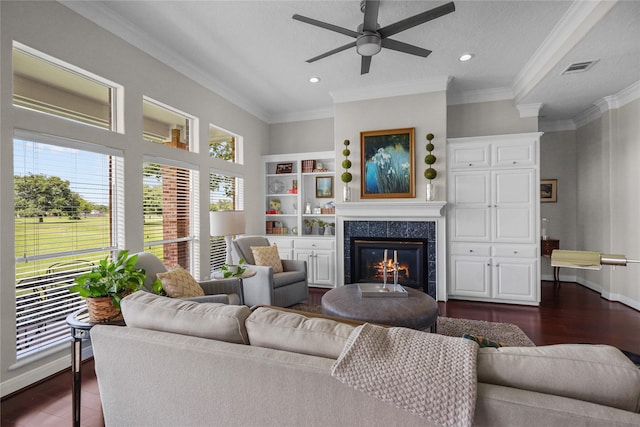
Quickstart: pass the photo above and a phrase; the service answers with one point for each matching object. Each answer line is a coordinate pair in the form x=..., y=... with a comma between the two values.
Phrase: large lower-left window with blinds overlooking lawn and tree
x=67, y=217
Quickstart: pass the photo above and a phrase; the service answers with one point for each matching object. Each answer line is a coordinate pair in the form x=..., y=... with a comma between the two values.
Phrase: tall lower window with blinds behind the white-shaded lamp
x=225, y=193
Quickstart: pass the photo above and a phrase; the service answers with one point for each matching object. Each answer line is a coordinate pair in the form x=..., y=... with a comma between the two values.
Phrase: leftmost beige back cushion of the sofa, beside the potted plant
x=206, y=320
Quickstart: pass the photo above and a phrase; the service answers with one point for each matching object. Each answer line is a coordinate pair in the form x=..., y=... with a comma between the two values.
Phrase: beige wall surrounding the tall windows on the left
x=55, y=30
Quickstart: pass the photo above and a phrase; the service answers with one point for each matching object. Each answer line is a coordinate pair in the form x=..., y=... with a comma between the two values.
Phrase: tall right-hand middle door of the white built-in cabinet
x=513, y=205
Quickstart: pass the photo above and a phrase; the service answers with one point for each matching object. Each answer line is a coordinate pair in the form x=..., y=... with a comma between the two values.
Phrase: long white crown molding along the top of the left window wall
x=127, y=31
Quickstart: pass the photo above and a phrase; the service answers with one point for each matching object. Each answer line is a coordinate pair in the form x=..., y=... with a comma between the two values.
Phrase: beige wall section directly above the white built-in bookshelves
x=300, y=137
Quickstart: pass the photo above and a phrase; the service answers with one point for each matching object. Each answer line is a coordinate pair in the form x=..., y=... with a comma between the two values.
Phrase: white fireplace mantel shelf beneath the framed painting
x=400, y=209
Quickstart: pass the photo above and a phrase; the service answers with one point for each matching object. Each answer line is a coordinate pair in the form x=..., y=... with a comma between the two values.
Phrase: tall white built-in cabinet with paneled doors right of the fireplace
x=493, y=218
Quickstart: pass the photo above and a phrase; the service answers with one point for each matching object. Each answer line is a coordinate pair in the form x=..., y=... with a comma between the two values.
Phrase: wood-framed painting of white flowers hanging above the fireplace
x=387, y=164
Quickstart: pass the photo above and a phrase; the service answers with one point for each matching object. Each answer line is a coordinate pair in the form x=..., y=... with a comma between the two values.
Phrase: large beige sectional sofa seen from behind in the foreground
x=181, y=363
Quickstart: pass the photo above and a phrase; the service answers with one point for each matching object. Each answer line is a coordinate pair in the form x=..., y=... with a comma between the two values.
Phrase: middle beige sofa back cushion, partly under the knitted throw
x=280, y=330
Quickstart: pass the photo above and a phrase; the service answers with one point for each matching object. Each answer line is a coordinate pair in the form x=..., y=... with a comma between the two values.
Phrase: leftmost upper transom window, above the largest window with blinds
x=47, y=85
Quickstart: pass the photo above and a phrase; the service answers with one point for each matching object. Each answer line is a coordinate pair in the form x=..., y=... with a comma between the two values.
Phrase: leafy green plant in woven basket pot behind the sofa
x=107, y=283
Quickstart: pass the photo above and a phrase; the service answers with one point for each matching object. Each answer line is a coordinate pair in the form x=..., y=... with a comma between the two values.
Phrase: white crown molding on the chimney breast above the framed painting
x=435, y=84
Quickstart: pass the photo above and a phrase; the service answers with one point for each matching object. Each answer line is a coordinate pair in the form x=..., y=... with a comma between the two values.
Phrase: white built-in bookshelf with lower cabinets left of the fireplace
x=294, y=188
